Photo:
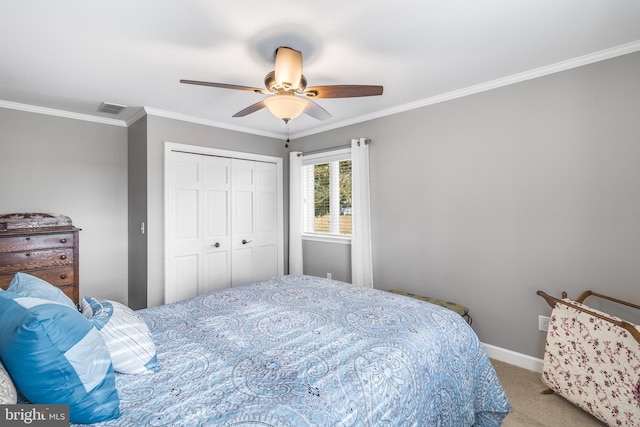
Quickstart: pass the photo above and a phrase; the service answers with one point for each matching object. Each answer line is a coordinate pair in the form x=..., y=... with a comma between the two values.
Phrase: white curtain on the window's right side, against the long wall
x=361, y=258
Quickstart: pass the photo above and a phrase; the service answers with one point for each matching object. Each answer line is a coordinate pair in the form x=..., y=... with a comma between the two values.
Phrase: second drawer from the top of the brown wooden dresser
x=13, y=262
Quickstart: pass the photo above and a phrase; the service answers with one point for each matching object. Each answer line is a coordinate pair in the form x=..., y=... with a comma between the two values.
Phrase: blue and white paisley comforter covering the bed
x=305, y=351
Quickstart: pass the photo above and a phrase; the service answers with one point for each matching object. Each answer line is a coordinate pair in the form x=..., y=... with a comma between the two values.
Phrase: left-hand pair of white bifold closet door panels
x=199, y=231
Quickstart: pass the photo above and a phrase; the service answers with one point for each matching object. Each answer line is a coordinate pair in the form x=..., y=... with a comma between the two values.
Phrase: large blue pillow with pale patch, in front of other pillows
x=55, y=356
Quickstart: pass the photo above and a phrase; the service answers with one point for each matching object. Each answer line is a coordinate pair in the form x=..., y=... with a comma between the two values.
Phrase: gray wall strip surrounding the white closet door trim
x=160, y=130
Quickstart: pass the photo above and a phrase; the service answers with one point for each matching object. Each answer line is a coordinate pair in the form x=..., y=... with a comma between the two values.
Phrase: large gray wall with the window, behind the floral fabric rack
x=485, y=199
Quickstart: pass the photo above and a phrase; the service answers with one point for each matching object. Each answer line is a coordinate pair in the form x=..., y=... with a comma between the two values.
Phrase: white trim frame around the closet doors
x=170, y=147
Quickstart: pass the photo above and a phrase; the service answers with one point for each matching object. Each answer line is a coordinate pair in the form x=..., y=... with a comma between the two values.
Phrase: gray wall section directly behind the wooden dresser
x=78, y=169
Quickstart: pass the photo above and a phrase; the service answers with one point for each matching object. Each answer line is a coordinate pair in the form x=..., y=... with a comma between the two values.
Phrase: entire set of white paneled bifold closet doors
x=222, y=223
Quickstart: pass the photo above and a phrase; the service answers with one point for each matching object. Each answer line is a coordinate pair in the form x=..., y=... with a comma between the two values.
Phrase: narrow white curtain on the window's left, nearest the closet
x=295, y=213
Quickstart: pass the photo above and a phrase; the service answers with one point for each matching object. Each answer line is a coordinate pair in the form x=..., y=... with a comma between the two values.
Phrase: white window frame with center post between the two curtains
x=327, y=157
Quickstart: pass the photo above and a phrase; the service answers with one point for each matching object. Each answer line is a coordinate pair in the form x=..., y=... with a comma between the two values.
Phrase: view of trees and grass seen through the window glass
x=331, y=200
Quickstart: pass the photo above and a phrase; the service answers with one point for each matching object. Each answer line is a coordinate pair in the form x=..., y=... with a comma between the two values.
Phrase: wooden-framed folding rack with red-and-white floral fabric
x=592, y=359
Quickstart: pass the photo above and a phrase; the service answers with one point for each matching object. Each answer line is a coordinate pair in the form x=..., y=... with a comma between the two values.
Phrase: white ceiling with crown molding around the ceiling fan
x=66, y=57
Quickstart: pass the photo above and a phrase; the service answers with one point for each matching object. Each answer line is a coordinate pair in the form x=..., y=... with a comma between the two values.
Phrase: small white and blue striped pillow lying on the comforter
x=126, y=335
